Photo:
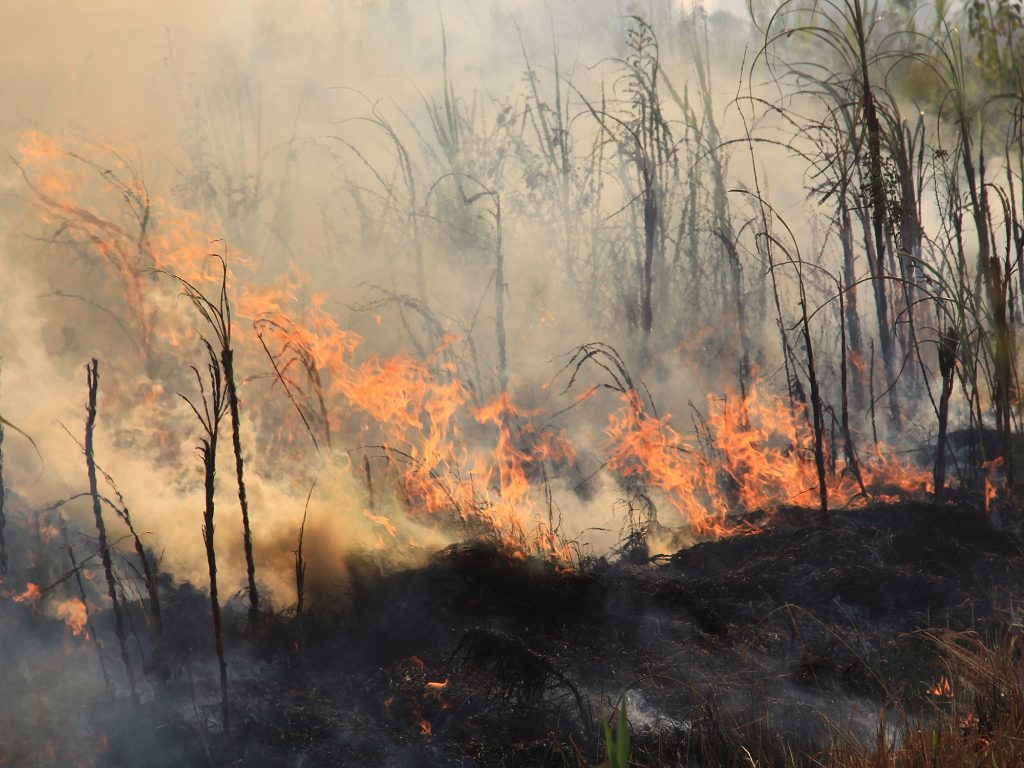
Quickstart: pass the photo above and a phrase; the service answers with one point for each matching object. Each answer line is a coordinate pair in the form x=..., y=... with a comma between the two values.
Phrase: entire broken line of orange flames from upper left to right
x=453, y=460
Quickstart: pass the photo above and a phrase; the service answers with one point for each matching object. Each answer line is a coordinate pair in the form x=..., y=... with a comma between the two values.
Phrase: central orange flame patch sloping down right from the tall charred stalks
x=419, y=410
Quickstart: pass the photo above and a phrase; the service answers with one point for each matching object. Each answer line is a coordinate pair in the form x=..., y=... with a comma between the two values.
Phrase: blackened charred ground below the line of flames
x=778, y=643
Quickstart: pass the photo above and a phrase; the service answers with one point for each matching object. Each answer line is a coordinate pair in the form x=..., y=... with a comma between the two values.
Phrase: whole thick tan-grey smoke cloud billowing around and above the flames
x=419, y=209
